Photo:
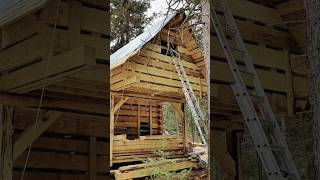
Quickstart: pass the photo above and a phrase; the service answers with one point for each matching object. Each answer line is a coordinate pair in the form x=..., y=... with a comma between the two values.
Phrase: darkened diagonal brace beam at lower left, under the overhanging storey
x=33, y=132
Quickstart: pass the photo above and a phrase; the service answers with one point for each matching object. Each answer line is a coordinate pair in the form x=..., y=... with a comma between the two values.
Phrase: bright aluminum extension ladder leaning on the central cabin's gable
x=191, y=99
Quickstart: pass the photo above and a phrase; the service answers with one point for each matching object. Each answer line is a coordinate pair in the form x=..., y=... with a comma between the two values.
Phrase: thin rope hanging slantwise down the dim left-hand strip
x=42, y=89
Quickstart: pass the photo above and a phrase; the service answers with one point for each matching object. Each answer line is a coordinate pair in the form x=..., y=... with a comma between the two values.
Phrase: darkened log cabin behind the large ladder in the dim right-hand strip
x=274, y=33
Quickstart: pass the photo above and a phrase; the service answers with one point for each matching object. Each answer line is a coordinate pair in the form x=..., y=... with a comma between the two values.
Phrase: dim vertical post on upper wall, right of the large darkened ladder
x=289, y=82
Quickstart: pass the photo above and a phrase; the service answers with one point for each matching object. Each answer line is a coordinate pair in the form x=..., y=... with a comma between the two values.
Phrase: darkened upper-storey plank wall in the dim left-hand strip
x=77, y=44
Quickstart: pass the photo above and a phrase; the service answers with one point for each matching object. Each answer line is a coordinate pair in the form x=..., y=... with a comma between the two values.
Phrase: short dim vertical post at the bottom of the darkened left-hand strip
x=92, y=157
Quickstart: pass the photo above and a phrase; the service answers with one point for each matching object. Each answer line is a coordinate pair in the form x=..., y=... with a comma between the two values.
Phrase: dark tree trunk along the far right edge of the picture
x=313, y=27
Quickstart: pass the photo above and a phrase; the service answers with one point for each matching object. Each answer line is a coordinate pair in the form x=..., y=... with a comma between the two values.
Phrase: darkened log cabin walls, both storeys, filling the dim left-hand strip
x=75, y=146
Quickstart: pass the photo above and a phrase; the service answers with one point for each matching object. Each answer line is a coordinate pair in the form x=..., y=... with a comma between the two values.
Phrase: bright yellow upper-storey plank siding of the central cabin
x=152, y=72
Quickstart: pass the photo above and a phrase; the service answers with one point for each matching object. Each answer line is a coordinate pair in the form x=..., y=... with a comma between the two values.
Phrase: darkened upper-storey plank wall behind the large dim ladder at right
x=270, y=47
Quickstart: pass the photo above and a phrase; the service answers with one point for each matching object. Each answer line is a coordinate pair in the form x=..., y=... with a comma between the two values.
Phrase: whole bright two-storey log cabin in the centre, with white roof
x=143, y=77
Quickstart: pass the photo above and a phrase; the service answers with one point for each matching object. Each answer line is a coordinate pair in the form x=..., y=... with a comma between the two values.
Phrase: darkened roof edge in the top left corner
x=11, y=10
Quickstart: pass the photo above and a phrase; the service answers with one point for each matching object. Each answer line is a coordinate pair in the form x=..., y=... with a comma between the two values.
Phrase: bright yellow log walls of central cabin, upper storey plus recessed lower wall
x=150, y=77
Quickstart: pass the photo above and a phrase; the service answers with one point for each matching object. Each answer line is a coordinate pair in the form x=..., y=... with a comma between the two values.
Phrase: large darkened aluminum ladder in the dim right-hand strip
x=266, y=135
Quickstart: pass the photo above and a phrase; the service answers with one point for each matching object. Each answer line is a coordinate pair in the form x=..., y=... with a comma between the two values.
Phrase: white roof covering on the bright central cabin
x=130, y=49
